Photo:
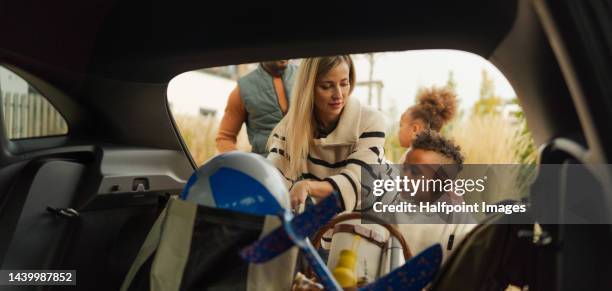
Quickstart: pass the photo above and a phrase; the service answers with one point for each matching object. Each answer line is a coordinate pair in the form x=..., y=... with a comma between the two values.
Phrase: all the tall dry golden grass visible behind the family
x=484, y=139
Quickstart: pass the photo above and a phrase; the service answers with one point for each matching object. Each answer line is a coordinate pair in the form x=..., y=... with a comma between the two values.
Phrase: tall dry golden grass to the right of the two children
x=503, y=147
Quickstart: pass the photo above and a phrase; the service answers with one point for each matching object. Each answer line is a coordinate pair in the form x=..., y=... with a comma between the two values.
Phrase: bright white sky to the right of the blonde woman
x=403, y=73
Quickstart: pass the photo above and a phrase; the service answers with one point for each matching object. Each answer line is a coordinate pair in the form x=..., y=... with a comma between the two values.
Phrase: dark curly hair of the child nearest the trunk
x=430, y=140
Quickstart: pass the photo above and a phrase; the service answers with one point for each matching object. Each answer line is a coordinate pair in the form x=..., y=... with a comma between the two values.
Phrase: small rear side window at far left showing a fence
x=25, y=112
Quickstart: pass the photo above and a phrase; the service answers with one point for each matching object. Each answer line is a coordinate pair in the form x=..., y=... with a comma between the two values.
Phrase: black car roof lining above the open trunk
x=149, y=42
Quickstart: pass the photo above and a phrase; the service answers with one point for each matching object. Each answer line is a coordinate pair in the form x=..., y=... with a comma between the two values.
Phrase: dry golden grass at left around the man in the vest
x=199, y=133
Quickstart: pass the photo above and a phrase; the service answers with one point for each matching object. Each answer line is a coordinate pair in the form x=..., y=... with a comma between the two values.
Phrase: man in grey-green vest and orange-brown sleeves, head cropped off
x=260, y=100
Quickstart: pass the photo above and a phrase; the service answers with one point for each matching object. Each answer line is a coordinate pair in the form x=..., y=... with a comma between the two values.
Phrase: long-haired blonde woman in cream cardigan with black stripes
x=327, y=136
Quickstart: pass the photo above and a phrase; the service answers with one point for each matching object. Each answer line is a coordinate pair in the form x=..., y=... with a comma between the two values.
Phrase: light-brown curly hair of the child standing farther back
x=435, y=106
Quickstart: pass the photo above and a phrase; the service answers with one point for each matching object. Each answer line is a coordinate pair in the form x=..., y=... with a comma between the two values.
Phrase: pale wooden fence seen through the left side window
x=30, y=115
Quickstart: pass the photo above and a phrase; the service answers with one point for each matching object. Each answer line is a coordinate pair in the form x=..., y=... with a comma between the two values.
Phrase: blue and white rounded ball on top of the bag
x=239, y=181
